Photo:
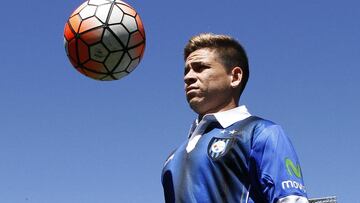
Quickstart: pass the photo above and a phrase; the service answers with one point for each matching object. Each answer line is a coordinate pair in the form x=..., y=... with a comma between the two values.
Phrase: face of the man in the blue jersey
x=207, y=83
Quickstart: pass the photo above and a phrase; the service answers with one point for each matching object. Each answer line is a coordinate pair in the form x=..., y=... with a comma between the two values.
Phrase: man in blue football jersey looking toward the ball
x=230, y=155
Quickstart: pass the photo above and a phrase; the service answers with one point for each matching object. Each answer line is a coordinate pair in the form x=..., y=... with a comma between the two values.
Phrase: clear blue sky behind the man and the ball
x=65, y=138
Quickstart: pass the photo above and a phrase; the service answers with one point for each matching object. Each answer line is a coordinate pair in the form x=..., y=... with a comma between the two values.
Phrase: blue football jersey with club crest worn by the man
x=250, y=161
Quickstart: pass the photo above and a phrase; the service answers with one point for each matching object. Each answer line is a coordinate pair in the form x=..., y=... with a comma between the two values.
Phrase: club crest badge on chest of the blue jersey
x=218, y=147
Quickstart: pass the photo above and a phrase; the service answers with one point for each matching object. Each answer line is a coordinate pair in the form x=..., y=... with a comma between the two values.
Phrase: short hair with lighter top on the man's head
x=229, y=50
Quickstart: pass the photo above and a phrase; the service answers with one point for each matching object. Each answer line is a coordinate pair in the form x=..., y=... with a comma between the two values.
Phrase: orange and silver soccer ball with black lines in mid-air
x=104, y=39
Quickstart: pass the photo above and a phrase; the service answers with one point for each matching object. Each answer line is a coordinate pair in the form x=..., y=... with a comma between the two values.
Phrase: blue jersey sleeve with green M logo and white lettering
x=275, y=166
